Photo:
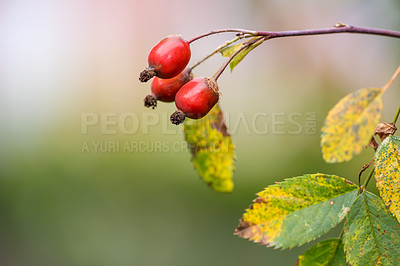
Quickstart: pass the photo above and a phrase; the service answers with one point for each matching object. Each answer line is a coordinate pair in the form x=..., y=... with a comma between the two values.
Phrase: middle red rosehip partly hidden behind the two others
x=165, y=89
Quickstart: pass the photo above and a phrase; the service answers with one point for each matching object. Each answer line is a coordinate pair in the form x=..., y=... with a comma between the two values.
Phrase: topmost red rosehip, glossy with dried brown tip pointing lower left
x=167, y=59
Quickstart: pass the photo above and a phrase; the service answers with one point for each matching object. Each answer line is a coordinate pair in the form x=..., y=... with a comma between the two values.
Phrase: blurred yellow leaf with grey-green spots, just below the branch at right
x=350, y=125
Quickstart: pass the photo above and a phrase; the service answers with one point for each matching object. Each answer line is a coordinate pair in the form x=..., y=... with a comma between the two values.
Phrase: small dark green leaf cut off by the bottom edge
x=326, y=253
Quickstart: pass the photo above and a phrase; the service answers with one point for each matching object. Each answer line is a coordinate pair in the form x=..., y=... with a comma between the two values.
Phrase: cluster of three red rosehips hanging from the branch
x=173, y=81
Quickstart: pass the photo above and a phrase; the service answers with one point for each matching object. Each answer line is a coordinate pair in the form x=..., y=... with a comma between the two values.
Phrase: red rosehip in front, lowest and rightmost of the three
x=195, y=99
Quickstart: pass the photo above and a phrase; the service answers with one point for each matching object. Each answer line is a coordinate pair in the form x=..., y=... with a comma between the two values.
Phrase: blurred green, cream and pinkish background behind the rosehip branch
x=60, y=60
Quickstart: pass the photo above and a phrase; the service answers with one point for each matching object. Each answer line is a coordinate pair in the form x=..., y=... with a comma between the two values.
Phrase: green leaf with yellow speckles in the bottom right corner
x=371, y=233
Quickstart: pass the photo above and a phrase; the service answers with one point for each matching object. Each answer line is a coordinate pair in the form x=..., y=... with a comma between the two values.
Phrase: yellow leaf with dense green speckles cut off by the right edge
x=387, y=173
